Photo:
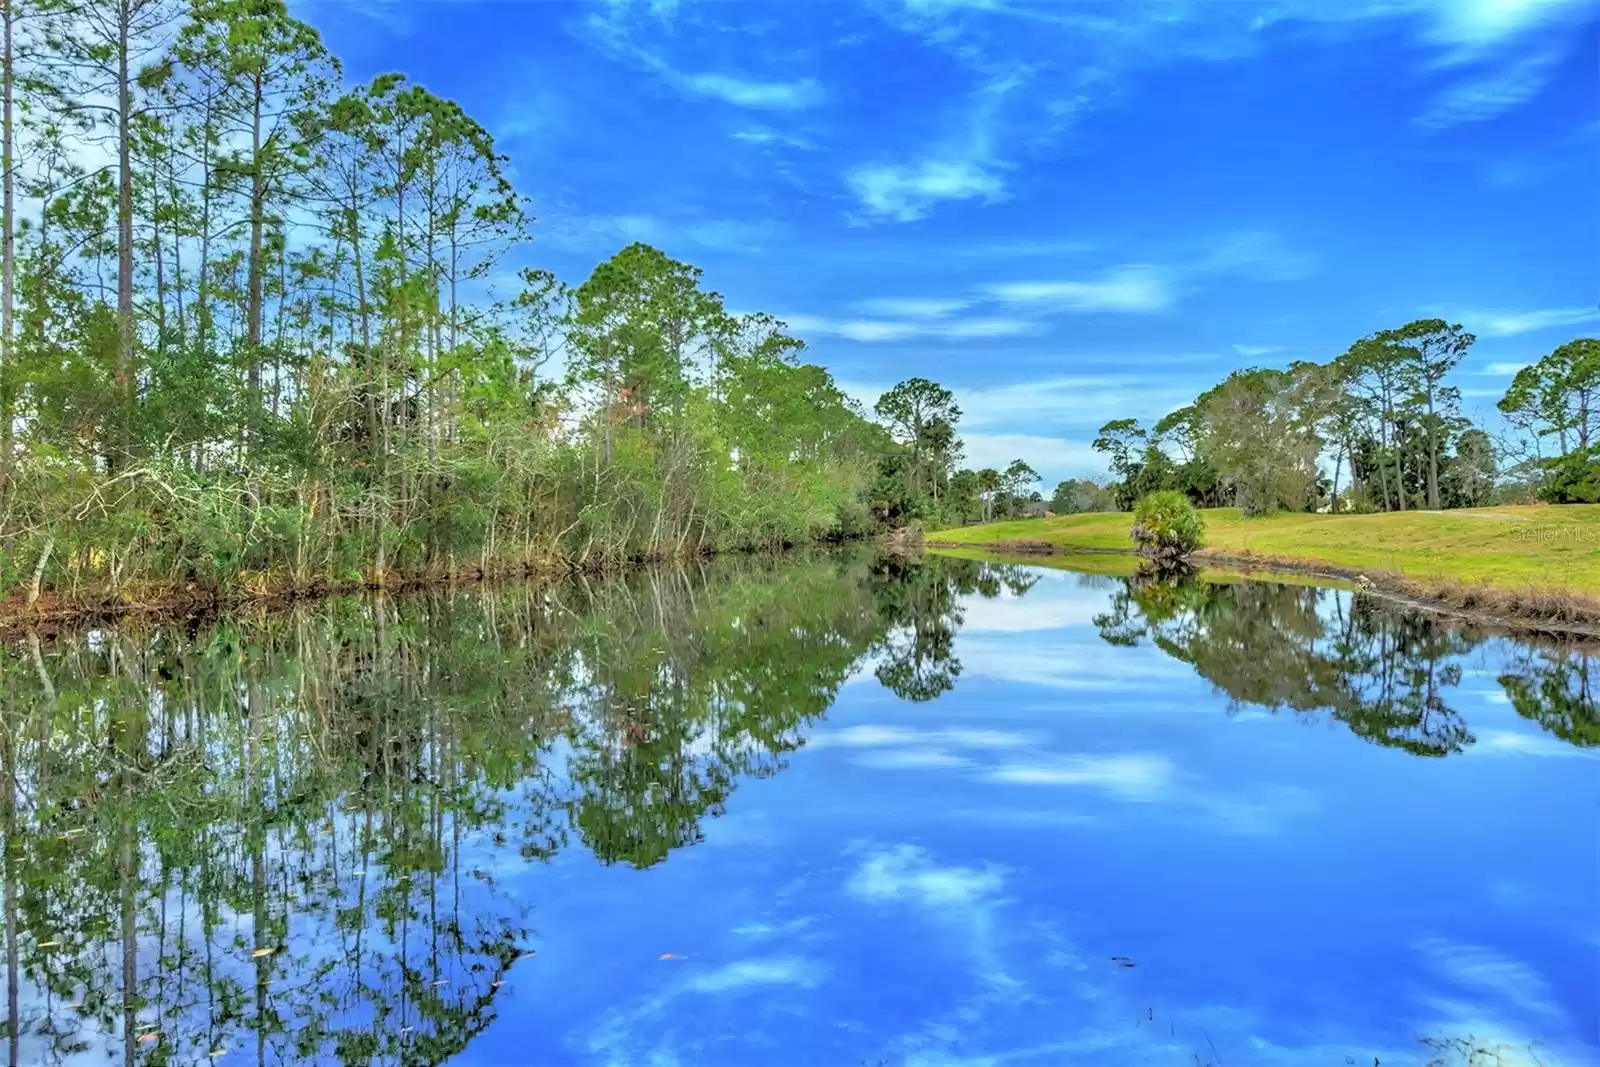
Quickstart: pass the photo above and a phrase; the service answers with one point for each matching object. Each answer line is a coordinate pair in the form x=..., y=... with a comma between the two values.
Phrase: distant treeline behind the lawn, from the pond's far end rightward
x=1380, y=428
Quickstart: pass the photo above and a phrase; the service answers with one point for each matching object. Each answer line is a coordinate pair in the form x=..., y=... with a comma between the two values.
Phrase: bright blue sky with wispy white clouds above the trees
x=1066, y=212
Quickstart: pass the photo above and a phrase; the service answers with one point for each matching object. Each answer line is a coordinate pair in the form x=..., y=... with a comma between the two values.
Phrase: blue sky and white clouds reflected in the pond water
x=950, y=884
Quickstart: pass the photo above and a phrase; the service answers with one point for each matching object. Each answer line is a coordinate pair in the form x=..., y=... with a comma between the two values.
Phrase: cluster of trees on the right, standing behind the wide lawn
x=1377, y=430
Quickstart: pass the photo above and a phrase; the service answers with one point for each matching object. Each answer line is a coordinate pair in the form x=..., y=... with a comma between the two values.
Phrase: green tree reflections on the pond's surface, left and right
x=298, y=837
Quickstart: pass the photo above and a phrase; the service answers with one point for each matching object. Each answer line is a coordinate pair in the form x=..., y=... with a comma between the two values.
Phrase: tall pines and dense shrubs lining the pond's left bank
x=263, y=329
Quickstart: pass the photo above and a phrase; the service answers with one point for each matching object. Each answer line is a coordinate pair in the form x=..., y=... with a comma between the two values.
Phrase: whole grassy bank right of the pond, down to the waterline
x=1530, y=564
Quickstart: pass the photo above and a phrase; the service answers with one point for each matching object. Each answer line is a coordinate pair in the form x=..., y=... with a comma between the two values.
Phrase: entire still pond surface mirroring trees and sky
x=830, y=812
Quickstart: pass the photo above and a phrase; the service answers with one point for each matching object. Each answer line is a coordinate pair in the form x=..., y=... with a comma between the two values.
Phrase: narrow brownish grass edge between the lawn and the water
x=1529, y=610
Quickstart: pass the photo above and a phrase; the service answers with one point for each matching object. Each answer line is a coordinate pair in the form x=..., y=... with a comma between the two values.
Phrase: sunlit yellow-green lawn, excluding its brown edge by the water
x=1556, y=548
